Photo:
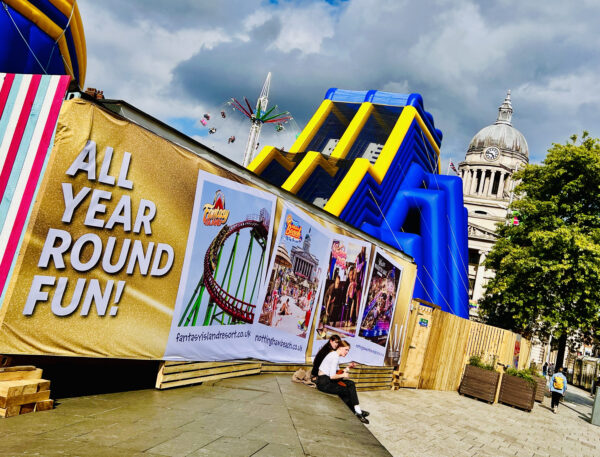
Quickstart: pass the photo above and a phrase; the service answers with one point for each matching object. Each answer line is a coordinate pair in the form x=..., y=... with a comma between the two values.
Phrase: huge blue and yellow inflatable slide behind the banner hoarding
x=372, y=159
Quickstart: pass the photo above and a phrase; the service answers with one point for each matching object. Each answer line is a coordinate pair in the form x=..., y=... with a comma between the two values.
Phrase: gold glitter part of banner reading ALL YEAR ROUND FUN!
x=101, y=261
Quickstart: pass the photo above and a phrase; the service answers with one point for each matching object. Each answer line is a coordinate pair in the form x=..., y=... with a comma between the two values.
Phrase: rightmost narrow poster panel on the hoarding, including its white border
x=377, y=314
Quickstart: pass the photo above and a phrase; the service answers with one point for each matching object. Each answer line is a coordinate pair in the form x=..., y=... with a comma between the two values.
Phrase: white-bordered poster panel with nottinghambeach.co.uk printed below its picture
x=296, y=275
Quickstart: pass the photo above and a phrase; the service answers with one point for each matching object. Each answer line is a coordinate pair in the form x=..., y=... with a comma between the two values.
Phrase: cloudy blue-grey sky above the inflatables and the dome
x=180, y=59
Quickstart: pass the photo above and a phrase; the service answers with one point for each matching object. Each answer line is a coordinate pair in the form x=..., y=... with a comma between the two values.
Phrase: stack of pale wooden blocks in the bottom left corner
x=22, y=390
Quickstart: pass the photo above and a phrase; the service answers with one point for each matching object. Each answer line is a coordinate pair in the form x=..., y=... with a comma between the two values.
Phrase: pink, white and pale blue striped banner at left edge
x=29, y=107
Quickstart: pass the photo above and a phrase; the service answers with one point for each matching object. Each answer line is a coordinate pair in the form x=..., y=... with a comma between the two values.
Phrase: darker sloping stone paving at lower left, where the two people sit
x=261, y=416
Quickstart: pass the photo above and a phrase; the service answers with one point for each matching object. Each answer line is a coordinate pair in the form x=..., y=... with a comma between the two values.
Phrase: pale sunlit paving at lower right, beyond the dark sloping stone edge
x=431, y=423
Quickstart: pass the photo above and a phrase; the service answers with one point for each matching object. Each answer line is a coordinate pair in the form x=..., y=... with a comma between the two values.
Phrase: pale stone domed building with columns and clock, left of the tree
x=494, y=154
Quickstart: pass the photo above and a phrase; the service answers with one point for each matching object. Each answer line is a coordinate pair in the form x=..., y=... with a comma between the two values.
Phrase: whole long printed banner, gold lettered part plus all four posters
x=138, y=248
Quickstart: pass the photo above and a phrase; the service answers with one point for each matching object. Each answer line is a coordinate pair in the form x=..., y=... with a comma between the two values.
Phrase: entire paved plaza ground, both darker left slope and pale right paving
x=268, y=415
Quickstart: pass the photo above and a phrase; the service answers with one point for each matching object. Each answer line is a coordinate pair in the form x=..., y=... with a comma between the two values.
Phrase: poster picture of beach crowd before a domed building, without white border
x=295, y=275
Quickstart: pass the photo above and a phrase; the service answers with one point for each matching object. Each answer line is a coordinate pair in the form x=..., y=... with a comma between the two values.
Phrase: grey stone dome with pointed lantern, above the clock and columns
x=501, y=134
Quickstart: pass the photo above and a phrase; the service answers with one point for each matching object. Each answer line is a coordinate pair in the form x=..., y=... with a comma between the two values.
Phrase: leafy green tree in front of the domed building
x=548, y=267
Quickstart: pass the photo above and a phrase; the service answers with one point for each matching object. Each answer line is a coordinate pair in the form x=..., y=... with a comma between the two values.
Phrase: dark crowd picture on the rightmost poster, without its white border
x=381, y=300
